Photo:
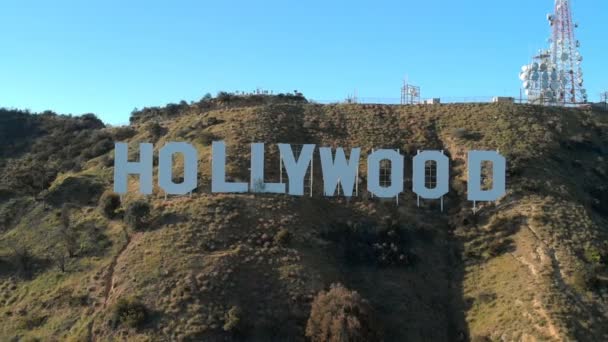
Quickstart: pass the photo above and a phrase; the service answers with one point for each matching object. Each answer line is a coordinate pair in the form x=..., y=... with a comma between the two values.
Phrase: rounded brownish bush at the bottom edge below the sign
x=341, y=315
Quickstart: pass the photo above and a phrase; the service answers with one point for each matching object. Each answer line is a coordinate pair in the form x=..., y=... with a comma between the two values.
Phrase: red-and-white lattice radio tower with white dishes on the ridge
x=555, y=77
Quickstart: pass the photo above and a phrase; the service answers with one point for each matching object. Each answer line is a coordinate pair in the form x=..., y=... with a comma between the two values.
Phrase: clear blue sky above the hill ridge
x=108, y=57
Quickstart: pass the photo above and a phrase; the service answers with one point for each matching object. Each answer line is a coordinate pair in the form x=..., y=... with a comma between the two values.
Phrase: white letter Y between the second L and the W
x=296, y=170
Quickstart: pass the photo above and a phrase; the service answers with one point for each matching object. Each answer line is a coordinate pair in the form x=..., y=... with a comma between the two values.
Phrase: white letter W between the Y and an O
x=339, y=170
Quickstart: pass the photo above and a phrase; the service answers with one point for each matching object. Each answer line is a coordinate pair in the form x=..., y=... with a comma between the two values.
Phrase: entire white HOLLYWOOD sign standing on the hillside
x=336, y=169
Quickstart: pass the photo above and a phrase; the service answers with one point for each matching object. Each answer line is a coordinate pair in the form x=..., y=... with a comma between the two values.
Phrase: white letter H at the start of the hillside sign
x=123, y=168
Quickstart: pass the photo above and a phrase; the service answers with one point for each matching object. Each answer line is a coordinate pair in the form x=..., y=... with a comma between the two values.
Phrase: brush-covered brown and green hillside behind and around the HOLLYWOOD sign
x=532, y=266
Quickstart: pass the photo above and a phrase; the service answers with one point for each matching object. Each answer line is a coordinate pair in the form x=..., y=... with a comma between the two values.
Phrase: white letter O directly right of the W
x=373, y=173
